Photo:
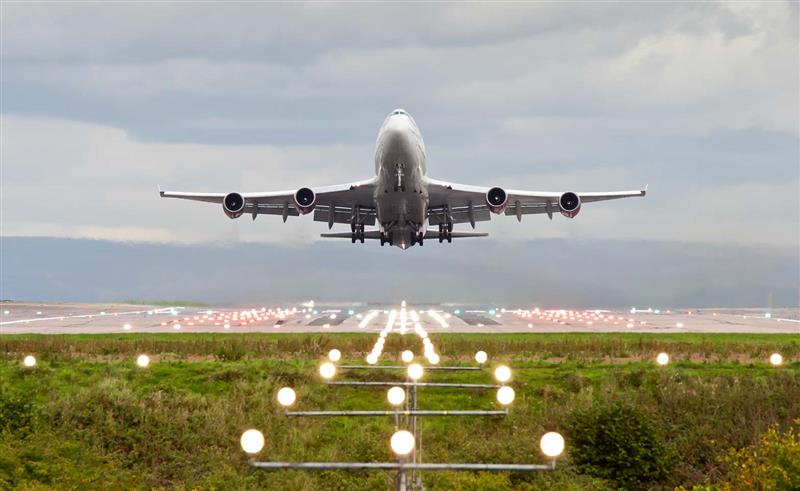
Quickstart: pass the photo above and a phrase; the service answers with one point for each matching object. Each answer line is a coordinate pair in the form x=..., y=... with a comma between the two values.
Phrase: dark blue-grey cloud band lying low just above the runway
x=534, y=272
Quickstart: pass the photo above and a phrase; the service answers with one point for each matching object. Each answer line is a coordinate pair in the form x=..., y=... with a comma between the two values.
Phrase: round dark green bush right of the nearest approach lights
x=617, y=442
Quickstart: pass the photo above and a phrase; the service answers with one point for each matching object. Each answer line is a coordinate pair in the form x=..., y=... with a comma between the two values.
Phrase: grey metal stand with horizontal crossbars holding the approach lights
x=406, y=418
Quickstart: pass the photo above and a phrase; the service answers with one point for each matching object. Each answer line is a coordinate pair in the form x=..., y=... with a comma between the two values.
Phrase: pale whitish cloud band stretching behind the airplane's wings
x=98, y=182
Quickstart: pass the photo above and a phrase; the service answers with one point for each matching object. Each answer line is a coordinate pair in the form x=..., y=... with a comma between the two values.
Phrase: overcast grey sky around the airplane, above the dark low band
x=101, y=103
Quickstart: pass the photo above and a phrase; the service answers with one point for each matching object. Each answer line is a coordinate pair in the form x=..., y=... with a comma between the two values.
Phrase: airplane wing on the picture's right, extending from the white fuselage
x=466, y=203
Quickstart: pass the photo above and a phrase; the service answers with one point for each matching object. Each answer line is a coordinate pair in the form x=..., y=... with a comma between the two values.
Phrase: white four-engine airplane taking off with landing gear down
x=401, y=199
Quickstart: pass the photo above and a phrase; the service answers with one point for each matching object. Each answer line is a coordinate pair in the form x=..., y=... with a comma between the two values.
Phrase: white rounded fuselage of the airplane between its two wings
x=401, y=196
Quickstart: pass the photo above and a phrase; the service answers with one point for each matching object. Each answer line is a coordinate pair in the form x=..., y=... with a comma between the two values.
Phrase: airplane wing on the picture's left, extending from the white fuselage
x=333, y=204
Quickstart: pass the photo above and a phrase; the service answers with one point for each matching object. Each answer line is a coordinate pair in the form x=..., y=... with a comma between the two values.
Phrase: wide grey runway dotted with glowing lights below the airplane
x=73, y=318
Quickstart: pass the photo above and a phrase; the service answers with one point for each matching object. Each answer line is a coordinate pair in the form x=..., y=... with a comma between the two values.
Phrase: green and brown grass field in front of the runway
x=86, y=417
